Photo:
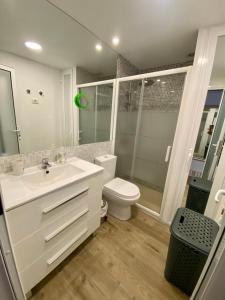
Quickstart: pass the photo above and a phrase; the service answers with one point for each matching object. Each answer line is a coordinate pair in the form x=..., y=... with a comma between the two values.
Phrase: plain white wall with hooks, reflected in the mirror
x=40, y=123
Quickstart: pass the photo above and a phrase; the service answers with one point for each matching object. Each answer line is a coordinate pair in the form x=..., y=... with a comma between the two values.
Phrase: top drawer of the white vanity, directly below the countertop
x=32, y=216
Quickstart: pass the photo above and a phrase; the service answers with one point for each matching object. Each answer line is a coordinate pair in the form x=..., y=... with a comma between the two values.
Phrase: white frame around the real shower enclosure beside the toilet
x=175, y=185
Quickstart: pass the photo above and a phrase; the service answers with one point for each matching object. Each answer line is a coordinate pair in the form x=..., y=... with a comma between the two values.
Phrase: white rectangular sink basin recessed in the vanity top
x=42, y=178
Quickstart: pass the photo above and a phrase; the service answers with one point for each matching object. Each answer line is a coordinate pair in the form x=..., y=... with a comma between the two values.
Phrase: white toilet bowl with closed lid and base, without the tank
x=120, y=195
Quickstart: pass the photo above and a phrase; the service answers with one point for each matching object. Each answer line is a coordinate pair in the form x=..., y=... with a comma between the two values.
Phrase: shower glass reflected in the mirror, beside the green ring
x=95, y=118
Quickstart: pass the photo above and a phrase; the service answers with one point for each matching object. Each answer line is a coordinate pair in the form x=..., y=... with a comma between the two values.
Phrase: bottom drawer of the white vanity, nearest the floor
x=52, y=258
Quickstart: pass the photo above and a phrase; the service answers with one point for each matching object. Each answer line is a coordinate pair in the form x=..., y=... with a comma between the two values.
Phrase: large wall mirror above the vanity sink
x=37, y=86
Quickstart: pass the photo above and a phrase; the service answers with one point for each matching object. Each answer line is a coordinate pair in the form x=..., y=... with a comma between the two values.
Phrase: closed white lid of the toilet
x=122, y=188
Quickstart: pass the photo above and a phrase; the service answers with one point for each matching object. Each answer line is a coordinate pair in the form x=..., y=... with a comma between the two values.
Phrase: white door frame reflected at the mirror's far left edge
x=15, y=103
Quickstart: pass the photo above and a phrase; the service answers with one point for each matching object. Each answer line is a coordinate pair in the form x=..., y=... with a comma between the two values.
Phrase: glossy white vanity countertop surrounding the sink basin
x=15, y=193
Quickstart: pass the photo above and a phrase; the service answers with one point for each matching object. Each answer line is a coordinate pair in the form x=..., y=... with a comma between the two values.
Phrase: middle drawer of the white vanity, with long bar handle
x=31, y=248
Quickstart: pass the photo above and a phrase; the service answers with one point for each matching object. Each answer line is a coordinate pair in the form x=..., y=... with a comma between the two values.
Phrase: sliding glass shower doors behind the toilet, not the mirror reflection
x=147, y=117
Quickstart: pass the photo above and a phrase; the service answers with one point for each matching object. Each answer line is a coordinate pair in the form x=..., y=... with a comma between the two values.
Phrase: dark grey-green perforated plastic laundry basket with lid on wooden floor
x=192, y=236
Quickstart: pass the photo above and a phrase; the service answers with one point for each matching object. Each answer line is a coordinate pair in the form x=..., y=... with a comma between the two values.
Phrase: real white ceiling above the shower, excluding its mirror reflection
x=152, y=32
